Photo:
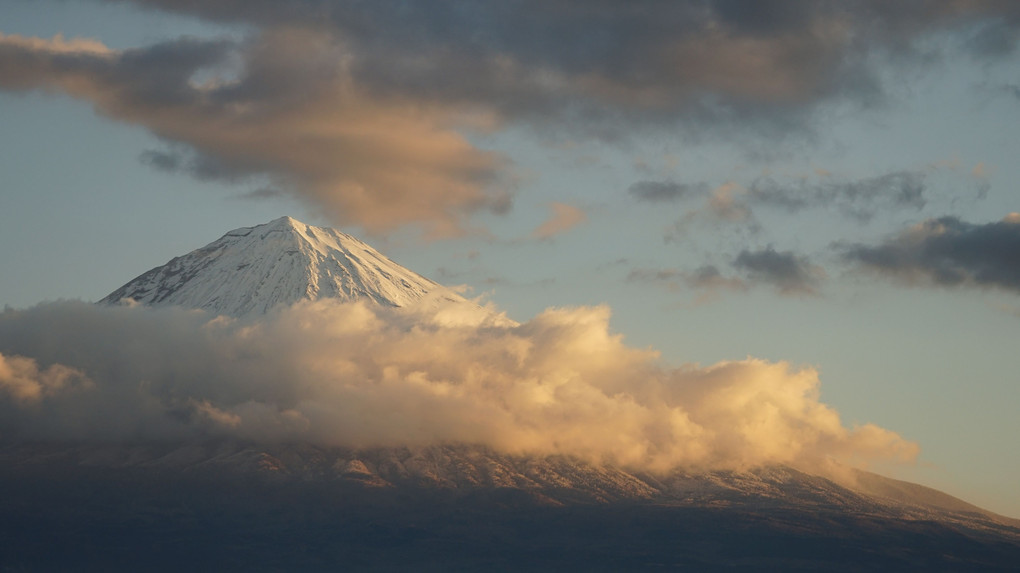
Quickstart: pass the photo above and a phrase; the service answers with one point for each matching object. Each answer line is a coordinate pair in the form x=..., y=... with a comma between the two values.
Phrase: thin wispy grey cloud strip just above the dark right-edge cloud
x=860, y=199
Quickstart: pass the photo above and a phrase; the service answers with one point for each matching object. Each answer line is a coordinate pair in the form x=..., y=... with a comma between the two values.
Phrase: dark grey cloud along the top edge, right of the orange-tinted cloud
x=604, y=65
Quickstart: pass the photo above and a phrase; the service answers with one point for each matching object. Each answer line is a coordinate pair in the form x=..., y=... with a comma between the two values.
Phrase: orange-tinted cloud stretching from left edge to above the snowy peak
x=289, y=112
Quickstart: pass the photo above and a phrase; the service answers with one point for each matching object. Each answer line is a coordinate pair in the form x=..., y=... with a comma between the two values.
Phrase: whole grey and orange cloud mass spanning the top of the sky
x=366, y=110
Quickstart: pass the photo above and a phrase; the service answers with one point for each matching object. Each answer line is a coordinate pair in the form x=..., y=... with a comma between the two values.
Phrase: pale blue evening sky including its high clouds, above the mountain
x=829, y=186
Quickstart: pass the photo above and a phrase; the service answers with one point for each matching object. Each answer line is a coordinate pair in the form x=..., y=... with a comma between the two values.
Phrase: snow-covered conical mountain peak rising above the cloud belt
x=251, y=271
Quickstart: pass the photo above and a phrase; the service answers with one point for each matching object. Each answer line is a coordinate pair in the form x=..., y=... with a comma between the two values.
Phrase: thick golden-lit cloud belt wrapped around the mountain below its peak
x=361, y=376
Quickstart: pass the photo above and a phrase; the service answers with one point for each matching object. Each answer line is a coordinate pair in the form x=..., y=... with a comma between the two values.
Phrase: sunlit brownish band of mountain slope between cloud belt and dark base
x=554, y=481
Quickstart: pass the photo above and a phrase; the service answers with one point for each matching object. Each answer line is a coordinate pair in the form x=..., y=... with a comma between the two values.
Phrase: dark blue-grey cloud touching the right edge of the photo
x=947, y=252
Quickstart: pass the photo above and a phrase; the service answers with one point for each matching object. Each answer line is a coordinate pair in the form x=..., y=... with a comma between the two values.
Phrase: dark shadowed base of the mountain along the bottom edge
x=127, y=520
